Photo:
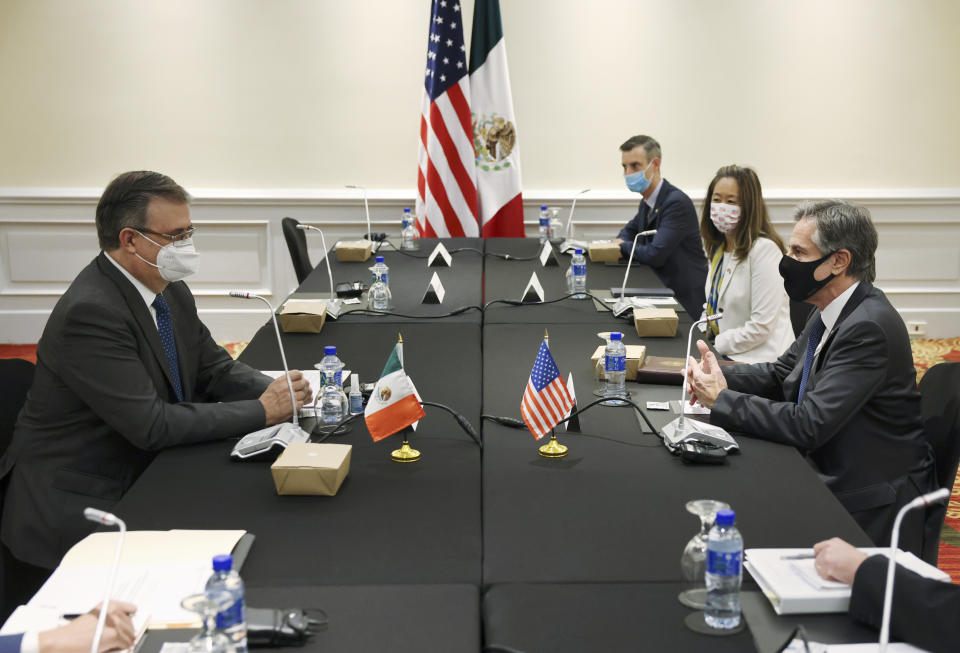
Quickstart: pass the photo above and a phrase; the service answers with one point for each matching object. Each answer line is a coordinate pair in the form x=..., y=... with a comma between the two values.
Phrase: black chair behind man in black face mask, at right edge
x=940, y=407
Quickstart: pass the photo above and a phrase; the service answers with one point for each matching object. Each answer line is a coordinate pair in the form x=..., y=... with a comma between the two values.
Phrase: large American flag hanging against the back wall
x=447, y=178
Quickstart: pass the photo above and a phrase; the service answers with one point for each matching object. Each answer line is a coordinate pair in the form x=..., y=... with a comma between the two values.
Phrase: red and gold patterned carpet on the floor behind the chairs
x=926, y=354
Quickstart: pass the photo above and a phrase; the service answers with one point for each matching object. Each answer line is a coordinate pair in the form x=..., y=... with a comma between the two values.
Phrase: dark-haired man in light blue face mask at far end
x=675, y=252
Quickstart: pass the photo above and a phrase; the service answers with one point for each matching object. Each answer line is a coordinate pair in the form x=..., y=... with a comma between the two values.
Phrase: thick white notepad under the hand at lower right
x=791, y=584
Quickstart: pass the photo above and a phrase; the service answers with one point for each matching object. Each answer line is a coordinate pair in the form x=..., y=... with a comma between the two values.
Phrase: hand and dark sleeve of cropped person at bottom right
x=925, y=612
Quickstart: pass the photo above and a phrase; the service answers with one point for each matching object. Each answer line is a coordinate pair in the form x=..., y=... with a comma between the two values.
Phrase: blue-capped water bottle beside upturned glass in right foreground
x=724, y=572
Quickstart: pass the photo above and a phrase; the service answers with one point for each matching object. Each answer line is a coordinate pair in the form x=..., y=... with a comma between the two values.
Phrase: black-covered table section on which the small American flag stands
x=613, y=509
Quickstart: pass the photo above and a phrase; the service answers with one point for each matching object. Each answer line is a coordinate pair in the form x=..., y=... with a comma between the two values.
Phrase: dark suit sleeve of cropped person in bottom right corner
x=924, y=612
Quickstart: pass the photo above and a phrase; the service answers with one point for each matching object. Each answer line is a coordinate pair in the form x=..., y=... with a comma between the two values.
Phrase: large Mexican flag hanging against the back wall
x=494, y=126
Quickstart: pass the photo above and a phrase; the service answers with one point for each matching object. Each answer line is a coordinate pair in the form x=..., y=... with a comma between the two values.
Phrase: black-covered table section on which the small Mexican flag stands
x=390, y=522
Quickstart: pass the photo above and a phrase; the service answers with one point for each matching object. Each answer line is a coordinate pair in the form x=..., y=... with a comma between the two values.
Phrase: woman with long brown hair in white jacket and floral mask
x=743, y=252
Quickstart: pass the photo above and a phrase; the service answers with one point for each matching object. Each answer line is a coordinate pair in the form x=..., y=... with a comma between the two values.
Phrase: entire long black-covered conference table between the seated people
x=579, y=553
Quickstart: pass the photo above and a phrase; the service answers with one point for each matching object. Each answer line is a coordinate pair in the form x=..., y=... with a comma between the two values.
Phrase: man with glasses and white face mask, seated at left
x=124, y=368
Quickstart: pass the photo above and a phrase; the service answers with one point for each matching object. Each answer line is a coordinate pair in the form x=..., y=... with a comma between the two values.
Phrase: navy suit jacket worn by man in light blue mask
x=675, y=252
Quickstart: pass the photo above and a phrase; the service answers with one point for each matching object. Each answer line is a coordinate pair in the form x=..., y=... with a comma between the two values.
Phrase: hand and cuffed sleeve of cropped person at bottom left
x=77, y=636
